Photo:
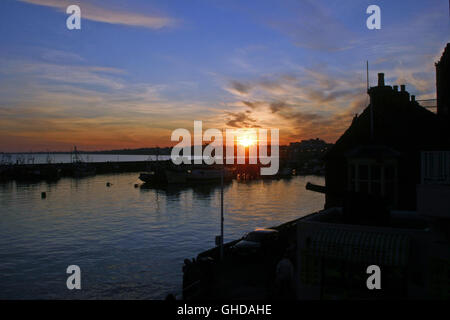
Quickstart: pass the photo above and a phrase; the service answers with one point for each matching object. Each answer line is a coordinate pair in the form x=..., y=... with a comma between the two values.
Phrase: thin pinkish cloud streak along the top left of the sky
x=107, y=15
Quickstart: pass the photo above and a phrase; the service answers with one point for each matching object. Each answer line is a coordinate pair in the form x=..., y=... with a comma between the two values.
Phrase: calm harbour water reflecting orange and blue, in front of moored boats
x=129, y=242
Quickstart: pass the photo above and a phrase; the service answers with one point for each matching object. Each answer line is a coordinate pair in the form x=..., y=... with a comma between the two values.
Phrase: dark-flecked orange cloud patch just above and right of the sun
x=307, y=104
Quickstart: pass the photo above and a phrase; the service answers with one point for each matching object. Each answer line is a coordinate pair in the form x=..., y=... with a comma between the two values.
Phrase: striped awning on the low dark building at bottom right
x=370, y=247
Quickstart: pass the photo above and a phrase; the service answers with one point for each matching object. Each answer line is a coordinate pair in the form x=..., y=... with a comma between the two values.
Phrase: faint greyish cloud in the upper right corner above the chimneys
x=406, y=52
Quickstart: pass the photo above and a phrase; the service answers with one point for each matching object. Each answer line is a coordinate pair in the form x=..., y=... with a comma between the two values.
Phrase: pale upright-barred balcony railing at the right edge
x=435, y=167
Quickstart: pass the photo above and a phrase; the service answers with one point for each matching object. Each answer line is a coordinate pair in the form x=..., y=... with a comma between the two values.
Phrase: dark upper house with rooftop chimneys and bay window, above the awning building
x=378, y=156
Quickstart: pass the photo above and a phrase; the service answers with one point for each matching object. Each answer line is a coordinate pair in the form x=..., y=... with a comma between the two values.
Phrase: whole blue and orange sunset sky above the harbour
x=139, y=69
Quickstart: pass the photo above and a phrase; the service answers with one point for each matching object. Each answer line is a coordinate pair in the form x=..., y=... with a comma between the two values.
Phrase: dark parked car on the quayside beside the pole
x=257, y=242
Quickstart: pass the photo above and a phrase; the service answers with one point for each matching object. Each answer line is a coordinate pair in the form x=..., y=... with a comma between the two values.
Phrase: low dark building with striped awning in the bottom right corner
x=412, y=250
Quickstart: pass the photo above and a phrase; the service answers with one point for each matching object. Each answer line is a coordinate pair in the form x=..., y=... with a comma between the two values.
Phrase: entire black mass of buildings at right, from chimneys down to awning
x=396, y=154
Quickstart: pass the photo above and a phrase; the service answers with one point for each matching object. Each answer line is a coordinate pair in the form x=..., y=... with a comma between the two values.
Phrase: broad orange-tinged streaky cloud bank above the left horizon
x=53, y=105
